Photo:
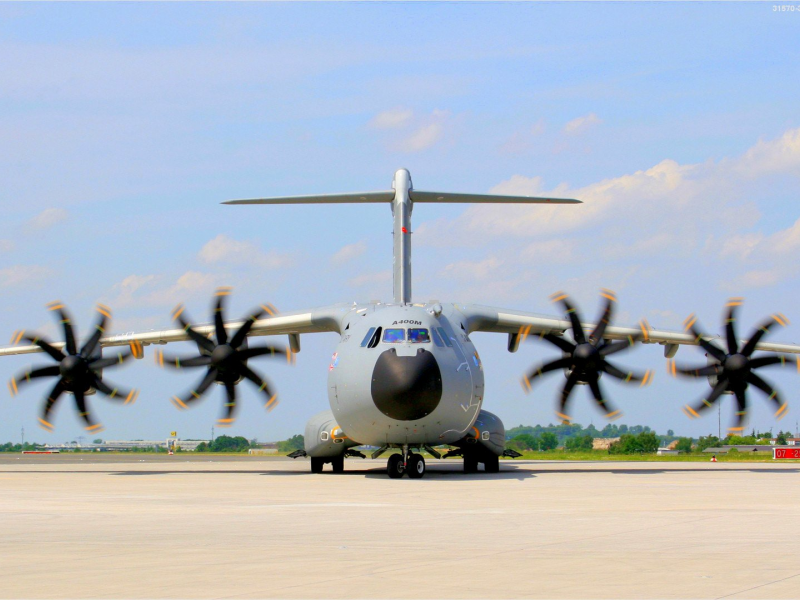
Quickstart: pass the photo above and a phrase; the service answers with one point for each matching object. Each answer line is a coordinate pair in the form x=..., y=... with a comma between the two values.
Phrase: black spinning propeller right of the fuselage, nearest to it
x=586, y=359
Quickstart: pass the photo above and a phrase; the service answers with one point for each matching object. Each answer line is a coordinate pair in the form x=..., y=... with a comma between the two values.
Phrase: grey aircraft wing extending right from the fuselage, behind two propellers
x=519, y=324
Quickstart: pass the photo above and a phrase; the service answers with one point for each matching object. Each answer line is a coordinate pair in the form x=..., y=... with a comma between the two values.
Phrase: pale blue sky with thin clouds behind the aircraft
x=122, y=127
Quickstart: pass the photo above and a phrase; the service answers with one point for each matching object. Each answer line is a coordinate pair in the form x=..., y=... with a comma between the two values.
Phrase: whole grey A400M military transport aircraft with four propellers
x=404, y=375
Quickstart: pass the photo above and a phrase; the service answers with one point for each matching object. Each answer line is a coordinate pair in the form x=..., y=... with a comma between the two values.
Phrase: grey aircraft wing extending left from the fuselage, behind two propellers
x=325, y=319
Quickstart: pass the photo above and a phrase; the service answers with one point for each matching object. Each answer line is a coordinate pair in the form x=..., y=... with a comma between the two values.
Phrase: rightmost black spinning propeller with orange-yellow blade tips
x=734, y=369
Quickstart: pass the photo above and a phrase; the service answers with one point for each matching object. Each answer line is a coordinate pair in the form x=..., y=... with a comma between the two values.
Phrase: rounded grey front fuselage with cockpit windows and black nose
x=405, y=375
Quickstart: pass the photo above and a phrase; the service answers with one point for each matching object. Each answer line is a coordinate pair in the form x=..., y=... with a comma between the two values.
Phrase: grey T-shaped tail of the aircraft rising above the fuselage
x=402, y=197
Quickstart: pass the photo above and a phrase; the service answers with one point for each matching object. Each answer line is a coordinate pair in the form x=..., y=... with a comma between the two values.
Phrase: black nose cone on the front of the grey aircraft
x=406, y=388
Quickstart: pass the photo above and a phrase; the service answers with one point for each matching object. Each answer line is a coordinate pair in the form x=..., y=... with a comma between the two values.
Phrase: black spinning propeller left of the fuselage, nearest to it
x=225, y=360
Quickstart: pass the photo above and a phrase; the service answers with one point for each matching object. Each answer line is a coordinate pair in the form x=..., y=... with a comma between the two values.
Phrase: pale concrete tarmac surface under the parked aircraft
x=245, y=527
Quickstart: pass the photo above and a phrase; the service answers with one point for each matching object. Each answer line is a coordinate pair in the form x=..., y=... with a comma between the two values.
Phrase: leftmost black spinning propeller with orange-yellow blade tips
x=79, y=372
